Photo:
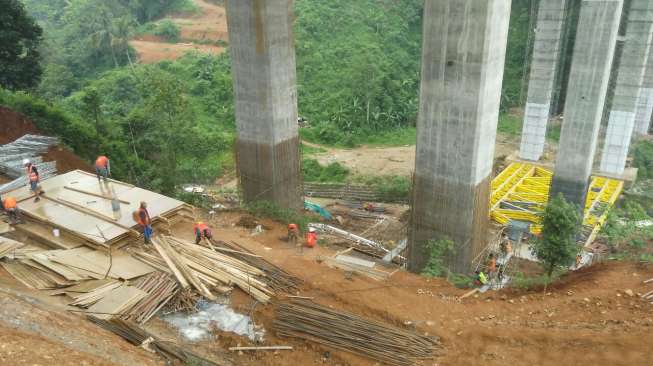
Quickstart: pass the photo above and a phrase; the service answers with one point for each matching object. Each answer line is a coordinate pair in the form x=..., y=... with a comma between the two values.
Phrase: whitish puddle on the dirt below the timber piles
x=197, y=326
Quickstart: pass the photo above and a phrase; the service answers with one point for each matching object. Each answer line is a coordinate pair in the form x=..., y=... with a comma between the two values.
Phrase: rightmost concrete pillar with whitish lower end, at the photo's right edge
x=630, y=75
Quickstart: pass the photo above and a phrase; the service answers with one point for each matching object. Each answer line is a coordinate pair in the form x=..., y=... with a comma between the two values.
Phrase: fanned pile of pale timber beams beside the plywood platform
x=204, y=270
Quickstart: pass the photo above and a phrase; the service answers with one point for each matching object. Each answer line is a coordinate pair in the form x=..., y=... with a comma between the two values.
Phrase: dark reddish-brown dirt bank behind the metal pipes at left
x=14, y=125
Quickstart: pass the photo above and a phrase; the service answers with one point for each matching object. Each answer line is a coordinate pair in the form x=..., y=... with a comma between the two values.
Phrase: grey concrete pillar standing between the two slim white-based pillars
x=596, y=37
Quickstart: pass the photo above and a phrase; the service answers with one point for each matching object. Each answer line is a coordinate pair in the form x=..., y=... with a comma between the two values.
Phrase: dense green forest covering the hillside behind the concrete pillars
x=173, y=122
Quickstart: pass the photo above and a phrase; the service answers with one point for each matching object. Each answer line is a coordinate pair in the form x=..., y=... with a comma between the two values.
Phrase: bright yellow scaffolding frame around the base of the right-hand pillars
x=521, y=191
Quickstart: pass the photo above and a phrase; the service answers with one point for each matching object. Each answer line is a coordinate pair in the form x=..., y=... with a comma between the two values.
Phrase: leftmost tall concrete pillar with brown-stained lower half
x=265, y=94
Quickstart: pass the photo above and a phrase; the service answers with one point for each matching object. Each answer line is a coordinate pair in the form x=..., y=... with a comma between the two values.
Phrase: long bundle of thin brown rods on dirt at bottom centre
x=348, y=332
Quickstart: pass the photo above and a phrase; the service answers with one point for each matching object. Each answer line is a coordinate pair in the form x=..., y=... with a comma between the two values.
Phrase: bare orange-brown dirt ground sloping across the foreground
x=586, y=318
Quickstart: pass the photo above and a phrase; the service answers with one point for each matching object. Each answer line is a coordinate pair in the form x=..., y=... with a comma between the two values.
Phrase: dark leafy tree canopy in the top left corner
x=20, y=37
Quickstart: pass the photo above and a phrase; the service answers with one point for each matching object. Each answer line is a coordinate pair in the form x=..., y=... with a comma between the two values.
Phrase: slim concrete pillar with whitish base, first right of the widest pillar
x=546, y=52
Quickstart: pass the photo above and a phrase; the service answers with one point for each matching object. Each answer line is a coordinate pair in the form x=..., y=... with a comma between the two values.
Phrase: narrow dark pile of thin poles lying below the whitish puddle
x=140, y=337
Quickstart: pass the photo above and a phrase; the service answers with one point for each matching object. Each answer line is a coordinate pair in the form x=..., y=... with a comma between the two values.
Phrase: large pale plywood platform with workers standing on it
x=80, y=206
